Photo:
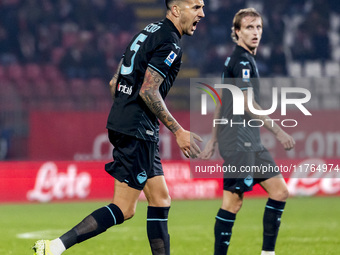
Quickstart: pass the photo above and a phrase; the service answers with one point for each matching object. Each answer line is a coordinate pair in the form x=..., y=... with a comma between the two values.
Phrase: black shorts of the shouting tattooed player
x=135, y=160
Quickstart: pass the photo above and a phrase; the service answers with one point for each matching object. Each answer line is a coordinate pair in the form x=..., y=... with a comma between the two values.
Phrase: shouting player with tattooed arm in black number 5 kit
x=145, y=75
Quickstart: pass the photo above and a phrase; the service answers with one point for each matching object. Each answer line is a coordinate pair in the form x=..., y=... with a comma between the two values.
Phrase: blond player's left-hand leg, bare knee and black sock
x=231, y=204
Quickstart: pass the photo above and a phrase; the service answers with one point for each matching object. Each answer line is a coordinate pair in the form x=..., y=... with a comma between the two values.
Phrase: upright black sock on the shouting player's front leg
x=157, y=229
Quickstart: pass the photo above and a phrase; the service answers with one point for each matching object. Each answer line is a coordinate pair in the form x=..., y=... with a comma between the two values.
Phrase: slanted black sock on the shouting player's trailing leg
x=94, y=224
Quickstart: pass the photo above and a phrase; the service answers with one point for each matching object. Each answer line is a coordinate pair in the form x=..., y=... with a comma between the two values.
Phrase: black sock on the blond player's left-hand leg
x=223, y=226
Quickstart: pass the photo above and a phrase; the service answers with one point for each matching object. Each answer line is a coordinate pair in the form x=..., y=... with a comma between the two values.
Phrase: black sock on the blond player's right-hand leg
x=271, y=223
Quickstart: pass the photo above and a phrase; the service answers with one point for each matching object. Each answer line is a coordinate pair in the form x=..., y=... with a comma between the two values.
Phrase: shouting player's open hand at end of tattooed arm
x=186, y=142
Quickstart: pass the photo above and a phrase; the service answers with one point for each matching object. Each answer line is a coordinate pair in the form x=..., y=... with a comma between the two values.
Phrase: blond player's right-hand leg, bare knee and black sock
x=278, y=193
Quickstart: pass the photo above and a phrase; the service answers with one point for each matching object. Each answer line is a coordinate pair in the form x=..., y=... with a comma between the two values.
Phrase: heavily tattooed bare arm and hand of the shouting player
x=150, y=94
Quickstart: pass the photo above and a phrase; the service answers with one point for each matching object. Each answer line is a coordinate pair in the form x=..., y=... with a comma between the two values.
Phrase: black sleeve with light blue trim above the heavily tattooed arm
x=164, y=57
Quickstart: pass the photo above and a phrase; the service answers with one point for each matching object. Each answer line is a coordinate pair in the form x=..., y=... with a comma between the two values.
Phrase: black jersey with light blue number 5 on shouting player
x=157, y=47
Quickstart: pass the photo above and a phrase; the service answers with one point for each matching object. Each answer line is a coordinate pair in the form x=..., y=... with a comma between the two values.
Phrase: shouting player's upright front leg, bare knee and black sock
x=159, y=201
